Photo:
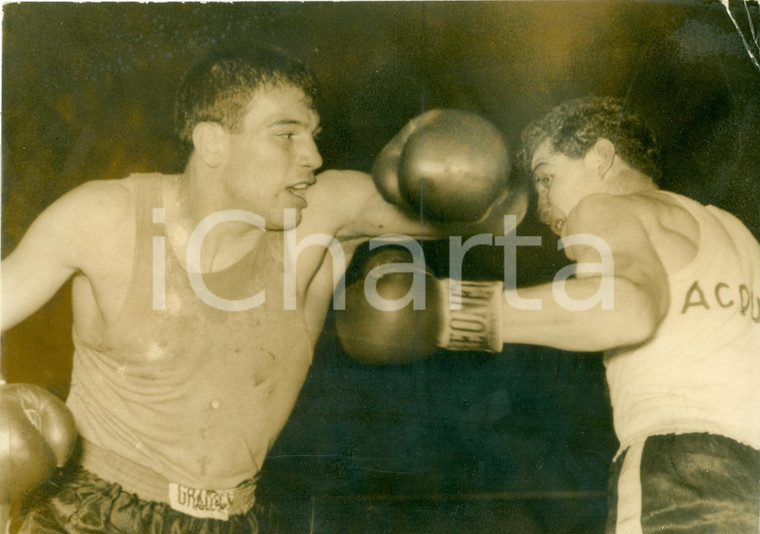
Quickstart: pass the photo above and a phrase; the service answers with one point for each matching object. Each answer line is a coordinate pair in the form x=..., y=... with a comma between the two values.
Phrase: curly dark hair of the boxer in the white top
x=576, y=125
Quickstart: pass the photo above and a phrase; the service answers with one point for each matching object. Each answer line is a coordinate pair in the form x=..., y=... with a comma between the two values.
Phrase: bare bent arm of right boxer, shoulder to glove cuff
x=635, y=288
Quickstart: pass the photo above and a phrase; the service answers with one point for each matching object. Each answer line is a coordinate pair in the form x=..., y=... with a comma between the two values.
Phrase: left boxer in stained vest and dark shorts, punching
x=193, y=328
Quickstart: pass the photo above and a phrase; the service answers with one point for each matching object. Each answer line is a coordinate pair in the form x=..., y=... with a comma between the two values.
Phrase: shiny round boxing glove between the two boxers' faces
x=446, y=164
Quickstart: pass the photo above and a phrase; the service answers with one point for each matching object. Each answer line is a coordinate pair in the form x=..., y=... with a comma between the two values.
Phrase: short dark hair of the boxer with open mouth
x=220, y=87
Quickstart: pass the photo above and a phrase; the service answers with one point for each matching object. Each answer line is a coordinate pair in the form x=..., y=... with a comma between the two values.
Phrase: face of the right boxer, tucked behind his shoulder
x=561, y=182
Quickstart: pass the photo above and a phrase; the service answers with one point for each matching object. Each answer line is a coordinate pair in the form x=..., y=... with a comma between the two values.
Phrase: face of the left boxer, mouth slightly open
x=272, y=160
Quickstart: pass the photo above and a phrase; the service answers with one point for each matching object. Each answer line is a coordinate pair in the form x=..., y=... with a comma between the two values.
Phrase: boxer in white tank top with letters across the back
x=668, y=289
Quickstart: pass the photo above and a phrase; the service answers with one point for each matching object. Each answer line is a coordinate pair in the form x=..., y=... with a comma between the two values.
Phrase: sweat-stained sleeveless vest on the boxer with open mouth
x=192, y=391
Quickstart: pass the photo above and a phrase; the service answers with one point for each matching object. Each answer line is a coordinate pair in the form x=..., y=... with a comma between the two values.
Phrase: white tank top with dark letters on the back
x=701, y=372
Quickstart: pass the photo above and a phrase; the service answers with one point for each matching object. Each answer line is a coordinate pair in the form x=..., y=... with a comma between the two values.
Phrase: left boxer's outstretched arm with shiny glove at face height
x=445, y=173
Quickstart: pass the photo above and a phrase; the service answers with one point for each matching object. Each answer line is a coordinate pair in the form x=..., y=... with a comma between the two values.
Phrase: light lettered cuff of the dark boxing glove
x=473, y=320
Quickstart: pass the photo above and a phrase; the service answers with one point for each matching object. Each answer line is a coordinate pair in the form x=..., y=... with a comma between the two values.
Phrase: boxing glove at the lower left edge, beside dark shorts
x=37, y=434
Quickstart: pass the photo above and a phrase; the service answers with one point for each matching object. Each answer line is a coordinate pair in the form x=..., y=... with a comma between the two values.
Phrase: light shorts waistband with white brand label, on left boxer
x=149, y=485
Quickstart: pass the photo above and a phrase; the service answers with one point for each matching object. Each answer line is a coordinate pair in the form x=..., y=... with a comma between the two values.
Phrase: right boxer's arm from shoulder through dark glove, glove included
x=617, y=298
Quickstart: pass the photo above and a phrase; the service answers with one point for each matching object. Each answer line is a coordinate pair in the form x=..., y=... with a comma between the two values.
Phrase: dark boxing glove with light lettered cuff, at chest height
x=398, y=312
